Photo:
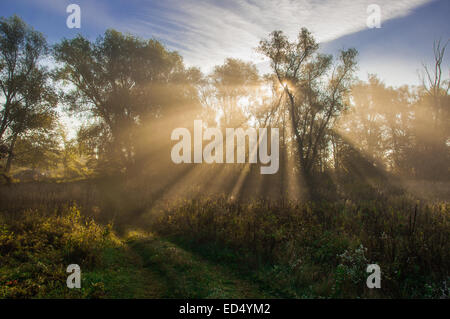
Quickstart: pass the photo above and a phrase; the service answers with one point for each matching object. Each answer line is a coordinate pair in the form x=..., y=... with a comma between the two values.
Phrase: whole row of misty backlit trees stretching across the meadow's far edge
x=132, y=92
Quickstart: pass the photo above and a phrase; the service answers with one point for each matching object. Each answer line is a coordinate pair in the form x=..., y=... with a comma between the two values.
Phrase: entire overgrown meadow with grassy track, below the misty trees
x=217, y=248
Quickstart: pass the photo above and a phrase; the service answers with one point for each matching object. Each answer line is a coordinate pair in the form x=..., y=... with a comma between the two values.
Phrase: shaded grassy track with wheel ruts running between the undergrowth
x=172, y=272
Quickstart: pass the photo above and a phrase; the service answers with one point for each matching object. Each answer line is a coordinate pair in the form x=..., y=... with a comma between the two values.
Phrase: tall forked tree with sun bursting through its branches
x=316, y=90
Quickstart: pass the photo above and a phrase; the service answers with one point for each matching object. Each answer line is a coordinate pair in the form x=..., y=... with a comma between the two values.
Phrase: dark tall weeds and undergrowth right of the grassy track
x=322, y=249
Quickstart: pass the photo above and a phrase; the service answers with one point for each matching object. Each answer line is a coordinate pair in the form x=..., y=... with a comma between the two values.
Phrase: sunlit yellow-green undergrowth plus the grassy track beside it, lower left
x=37, y=247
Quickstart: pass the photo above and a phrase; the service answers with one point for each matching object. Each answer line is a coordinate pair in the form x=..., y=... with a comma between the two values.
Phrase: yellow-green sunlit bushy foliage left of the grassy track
x=36, y=248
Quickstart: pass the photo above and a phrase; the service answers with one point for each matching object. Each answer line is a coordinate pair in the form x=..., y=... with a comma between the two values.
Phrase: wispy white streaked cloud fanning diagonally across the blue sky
x=207, y=31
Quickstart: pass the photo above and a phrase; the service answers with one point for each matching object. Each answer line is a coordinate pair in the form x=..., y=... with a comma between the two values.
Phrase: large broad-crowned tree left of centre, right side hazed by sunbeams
x=123, y=82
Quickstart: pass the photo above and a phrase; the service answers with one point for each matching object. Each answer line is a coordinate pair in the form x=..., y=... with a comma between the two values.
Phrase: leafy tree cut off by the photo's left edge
x=27, y=95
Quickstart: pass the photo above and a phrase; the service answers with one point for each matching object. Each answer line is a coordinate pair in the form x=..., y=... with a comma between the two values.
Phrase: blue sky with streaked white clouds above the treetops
x=206, y=32
